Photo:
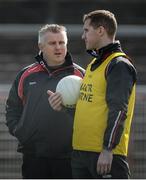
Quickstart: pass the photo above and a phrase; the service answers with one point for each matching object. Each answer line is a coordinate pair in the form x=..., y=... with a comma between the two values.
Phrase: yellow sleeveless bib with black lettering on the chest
x=92, y=111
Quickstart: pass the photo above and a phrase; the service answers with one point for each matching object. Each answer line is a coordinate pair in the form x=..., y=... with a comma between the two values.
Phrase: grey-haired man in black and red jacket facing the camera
x=44, y=135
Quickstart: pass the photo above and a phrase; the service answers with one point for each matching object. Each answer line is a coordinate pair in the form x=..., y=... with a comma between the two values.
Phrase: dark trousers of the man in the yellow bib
x=84, y=166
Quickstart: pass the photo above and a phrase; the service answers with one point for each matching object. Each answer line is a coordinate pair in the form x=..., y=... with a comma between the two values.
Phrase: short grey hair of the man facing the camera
x=54, y=28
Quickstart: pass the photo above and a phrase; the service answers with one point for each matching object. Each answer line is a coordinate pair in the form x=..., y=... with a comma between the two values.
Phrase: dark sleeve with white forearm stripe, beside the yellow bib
x=121, y=77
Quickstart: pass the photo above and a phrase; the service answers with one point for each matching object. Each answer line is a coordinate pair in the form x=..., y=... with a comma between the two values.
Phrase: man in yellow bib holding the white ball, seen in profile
x=104, y=110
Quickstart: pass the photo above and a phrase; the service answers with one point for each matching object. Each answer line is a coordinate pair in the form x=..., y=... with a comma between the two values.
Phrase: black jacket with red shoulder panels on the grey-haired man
x=41, y=131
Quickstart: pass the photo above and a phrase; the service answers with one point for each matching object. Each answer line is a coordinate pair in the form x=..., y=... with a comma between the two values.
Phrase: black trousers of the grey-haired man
x=46, y=168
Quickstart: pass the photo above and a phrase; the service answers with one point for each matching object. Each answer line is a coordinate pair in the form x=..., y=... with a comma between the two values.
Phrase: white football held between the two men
x=69, y=88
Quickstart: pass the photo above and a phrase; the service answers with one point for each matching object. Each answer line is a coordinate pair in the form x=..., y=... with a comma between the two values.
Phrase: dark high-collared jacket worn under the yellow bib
x=121, y=76
